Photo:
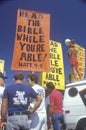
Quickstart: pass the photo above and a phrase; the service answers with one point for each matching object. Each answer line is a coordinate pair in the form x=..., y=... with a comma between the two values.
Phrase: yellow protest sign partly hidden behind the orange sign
x=56, y=74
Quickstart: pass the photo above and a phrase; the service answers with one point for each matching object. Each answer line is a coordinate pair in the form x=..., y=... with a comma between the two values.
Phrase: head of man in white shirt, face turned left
x=32, y=79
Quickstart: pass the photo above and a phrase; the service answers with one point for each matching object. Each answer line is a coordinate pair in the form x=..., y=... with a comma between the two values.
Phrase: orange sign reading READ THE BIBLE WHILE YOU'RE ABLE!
x=31, y=49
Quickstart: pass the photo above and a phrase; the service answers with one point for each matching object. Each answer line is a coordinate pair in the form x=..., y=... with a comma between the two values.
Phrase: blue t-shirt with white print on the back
x=18, y=96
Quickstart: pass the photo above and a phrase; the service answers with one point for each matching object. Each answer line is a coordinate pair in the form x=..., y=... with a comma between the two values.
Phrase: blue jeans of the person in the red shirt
x=56, y=118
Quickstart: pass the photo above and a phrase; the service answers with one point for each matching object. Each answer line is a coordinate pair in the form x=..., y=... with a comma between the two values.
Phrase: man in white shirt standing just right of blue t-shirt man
x=38, y=120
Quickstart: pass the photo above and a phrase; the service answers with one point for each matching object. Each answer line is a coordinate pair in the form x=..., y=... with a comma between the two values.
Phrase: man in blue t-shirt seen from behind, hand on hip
x=15, y=103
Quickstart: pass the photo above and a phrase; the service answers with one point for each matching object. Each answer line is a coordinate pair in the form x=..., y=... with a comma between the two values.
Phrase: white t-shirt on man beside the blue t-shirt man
x=41, y=91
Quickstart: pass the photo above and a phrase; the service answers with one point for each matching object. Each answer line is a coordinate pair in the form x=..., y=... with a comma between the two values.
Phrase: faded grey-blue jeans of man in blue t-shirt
x=17, y=122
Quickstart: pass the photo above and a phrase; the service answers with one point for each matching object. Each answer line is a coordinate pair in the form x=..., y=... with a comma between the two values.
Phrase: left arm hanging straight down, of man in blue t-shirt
x=4, y=109
